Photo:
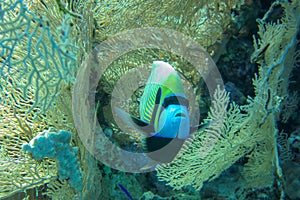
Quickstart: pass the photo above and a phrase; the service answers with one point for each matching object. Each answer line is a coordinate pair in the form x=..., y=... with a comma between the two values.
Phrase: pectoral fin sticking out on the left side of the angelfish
x=134, y=122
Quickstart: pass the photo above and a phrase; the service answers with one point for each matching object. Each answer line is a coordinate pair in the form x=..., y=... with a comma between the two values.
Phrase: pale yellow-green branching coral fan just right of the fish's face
x=208, y=153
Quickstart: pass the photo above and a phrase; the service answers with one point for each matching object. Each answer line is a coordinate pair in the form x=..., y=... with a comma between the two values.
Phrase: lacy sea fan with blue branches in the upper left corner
x=35, y=49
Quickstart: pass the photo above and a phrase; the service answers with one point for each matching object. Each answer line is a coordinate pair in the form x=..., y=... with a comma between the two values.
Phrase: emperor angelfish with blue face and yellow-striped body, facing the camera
x=164, y=116
